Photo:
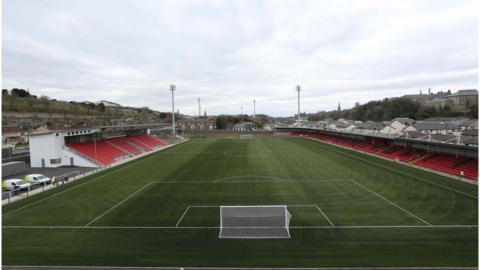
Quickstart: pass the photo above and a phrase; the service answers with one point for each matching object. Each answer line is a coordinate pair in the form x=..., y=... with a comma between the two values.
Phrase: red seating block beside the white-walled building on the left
x=110, y=150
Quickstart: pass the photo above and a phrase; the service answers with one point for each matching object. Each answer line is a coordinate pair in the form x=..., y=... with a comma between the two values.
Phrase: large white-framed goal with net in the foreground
x=259, y=221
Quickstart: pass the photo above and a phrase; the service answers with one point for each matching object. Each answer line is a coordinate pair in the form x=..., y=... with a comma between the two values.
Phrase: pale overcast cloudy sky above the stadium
x=230, y=52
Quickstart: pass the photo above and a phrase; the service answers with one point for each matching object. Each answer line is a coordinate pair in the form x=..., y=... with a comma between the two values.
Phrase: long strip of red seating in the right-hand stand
x=440, y=162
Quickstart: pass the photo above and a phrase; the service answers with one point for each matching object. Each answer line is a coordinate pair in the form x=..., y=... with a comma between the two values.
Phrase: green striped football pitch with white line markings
x=348, y=210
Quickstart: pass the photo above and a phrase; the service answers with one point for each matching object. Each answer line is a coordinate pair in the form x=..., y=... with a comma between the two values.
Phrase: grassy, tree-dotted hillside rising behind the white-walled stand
x=22, y=109
